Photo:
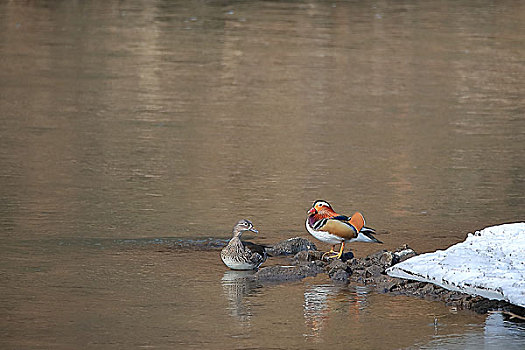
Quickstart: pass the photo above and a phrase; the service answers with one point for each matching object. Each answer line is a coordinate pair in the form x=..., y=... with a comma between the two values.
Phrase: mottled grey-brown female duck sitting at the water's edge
x=239, y=255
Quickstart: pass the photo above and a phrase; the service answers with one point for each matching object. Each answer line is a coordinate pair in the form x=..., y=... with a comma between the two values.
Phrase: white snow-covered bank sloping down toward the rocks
x=489, y=263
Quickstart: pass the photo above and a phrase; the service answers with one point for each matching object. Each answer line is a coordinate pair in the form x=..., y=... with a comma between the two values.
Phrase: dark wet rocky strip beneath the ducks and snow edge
x=306, y=261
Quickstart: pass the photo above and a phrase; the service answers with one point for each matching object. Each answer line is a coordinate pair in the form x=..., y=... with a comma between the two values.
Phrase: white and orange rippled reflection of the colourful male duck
x=320, y=301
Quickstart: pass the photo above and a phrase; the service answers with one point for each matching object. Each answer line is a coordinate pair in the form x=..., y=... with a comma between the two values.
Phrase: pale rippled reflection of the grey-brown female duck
x=236, y=286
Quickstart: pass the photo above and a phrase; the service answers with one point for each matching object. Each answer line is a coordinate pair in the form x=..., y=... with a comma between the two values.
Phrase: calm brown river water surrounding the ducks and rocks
x=134, y=134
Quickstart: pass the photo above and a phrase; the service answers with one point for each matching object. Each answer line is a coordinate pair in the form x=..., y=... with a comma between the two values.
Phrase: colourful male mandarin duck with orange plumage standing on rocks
x=327, y=226
